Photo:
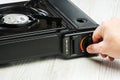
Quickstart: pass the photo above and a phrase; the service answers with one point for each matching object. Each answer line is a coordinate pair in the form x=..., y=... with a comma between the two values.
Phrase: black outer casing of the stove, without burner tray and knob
x=52, y=41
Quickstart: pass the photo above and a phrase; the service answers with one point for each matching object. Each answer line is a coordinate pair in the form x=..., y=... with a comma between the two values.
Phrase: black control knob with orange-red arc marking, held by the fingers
x=85, y=41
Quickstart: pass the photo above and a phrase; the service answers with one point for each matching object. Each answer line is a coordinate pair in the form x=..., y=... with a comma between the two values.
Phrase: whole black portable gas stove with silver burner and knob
x=39, y=28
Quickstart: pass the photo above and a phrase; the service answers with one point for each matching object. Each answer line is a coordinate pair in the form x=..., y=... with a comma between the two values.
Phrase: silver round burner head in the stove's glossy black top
x=15, y=19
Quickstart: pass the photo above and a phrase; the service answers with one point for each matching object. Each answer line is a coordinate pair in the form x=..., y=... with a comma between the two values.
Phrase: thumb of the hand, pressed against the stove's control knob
x=96, y=48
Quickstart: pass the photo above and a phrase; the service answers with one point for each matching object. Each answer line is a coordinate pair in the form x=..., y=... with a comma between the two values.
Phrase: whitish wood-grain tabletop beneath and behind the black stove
x=75, y=69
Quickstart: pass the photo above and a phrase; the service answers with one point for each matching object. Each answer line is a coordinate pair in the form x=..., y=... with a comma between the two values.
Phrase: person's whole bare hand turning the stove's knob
x=106, y=39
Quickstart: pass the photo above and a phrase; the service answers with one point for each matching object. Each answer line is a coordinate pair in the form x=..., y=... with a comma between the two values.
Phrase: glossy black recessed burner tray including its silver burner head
x=17, y=19
